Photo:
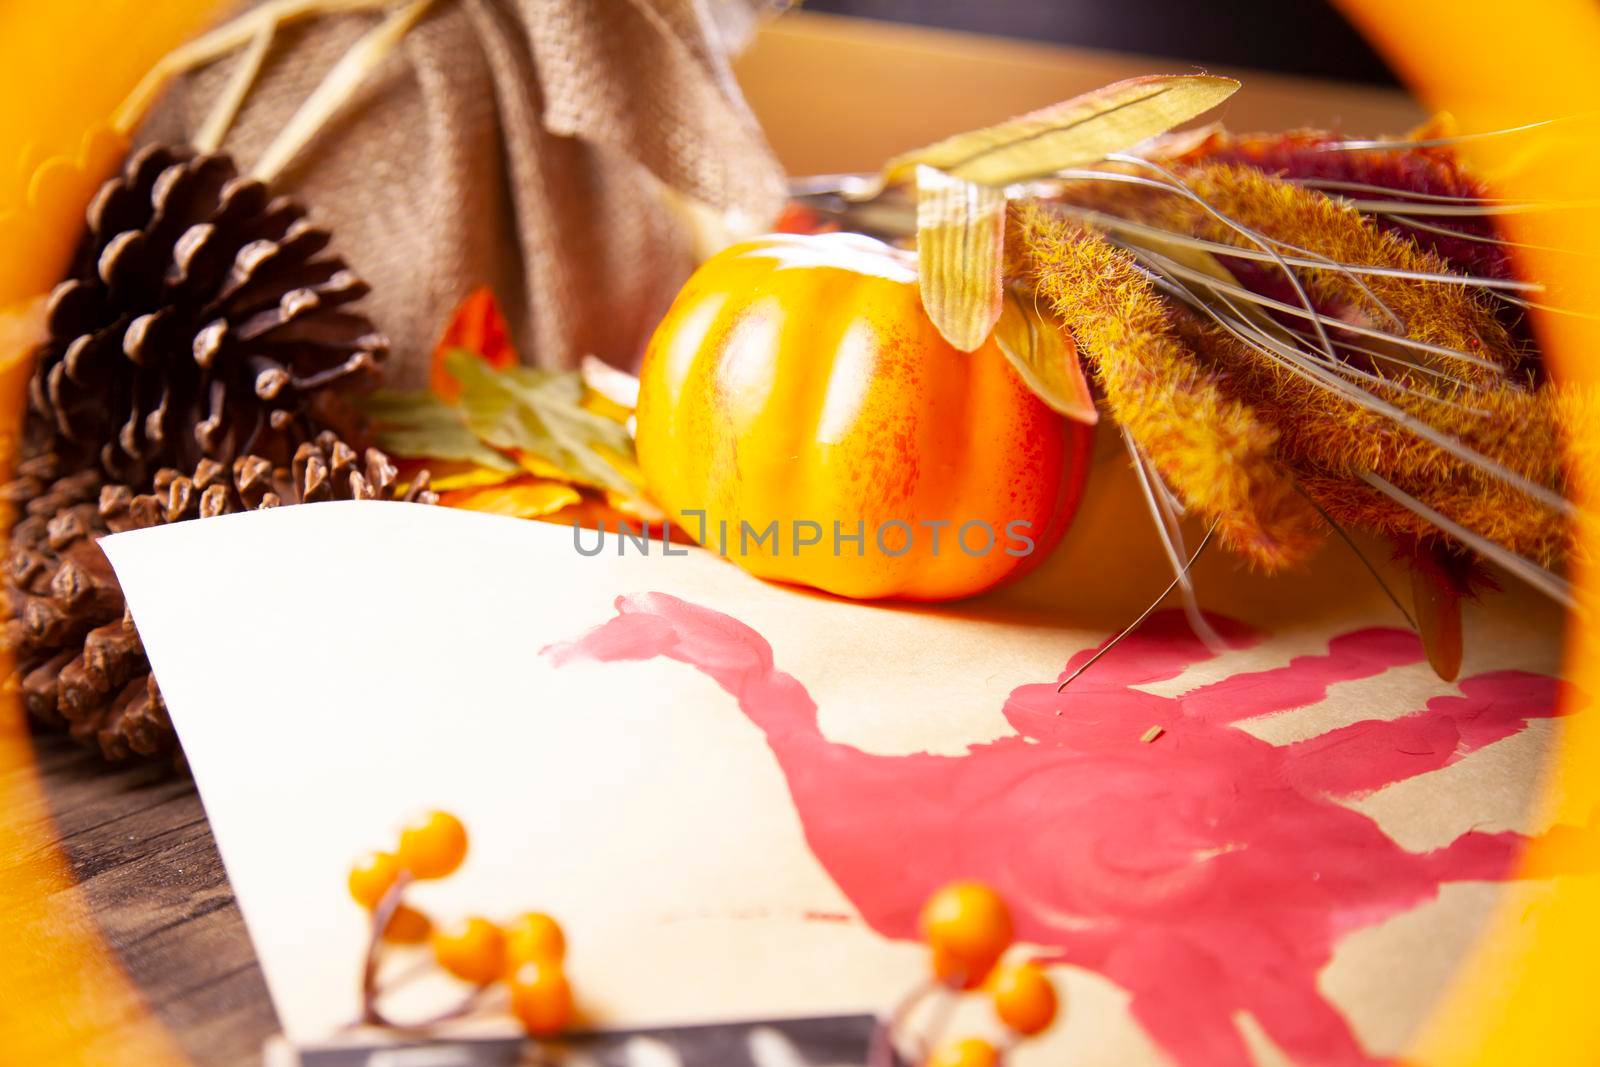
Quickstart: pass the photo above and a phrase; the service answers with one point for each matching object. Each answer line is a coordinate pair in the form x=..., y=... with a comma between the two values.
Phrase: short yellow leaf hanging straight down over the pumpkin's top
x=961, y=254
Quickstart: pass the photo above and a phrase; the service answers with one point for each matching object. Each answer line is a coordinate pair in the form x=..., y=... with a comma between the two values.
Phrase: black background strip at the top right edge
x=1292, y=36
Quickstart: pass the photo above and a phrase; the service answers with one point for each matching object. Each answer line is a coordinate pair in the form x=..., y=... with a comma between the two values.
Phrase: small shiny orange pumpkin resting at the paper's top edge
x=799, y=414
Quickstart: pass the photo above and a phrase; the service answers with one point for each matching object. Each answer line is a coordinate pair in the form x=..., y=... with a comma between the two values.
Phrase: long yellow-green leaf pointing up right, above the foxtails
x=1071, y=134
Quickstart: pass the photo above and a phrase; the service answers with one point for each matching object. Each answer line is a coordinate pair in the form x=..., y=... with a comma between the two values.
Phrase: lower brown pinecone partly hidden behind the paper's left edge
x=79, y=660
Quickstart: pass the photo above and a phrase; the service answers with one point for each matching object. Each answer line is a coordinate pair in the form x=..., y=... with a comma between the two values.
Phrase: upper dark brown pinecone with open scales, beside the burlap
x=201, y=321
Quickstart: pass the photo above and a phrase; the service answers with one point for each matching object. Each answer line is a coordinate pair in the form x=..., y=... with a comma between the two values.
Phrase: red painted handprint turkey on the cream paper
x=1207, y=874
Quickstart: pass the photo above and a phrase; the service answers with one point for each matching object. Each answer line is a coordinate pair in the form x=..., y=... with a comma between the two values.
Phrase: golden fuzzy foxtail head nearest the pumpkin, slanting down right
x=1210, y=447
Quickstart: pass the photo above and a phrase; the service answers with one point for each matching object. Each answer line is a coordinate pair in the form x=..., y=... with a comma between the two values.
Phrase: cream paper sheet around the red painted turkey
x=356, y=663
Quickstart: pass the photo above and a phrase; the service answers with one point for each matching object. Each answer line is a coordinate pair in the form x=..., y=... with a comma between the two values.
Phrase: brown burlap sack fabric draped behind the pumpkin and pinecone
x=538, y=146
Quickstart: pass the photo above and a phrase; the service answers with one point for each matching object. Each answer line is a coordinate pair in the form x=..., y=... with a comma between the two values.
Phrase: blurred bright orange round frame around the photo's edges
x=1527, y=994
